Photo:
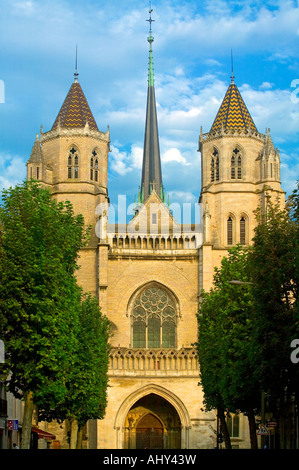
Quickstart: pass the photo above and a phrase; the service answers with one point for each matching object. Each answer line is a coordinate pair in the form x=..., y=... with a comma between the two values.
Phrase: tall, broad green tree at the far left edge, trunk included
x=40, y=241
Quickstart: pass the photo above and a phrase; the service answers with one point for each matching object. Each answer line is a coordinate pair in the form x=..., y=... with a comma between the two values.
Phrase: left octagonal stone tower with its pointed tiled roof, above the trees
x=72, y=161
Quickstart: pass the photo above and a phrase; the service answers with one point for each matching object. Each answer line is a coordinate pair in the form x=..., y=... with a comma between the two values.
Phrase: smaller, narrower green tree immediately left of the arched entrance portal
x=87, y=380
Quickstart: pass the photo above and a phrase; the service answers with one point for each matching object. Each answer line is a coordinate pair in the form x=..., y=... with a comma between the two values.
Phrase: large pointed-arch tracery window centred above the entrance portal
x=154, y=318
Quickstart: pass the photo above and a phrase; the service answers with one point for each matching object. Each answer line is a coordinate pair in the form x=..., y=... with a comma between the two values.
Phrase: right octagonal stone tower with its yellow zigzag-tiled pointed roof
x=240, y=171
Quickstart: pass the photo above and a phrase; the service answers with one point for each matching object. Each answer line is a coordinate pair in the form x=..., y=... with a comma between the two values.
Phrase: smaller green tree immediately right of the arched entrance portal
x=225, y=324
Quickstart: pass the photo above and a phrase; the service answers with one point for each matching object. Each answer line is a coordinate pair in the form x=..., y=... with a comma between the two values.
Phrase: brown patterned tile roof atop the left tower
x=75, y=111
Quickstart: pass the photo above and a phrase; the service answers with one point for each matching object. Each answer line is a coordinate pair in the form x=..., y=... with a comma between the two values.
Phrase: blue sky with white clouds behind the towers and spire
x=192, y=62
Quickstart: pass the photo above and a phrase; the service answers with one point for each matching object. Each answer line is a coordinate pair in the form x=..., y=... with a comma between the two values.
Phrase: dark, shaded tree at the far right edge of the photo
x=274, y=268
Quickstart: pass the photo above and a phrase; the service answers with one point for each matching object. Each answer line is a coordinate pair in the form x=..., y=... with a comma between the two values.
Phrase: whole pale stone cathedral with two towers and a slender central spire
x=149, y=272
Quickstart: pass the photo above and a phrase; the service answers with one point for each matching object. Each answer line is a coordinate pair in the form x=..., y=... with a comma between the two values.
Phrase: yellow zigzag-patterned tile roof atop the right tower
x=233, y=113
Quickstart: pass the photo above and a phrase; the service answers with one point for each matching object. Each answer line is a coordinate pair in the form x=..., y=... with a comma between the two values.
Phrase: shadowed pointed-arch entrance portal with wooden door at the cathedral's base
x=152, y=423
